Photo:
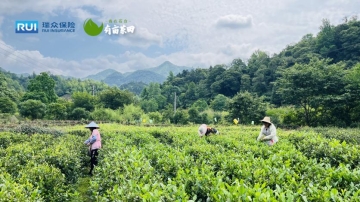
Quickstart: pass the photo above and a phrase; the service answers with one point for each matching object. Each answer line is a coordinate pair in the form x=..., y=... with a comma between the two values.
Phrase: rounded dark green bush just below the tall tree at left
x=33, y=109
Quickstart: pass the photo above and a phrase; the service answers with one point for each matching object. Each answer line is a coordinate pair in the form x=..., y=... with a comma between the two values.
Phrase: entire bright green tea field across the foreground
x=173, y=164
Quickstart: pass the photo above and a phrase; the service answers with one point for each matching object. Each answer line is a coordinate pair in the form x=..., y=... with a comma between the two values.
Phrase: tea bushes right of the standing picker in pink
x=155, y=164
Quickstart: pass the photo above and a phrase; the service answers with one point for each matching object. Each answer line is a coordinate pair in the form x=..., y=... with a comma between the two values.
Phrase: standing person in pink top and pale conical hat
x=94, y=143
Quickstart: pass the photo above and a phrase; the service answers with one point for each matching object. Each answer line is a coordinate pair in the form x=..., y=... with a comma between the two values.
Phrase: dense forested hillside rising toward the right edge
x=316, y=75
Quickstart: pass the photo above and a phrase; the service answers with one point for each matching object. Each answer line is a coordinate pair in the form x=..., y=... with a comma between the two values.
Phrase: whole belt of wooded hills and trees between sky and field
x=313, y=82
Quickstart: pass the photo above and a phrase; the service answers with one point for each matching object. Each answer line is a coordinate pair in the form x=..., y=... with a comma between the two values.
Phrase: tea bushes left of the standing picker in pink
x=40, y=167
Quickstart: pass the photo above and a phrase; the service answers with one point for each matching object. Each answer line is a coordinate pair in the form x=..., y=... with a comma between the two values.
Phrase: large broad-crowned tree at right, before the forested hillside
x=312, y=86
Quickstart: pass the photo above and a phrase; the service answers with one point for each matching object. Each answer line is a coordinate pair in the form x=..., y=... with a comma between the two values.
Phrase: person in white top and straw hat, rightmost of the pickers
x=268, y=132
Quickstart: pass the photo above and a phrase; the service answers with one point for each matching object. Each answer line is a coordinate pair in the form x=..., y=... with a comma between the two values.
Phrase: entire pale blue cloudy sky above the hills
x=187, y=33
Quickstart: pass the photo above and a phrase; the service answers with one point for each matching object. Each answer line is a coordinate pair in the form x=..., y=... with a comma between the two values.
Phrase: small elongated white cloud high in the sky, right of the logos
x=234, y=21
